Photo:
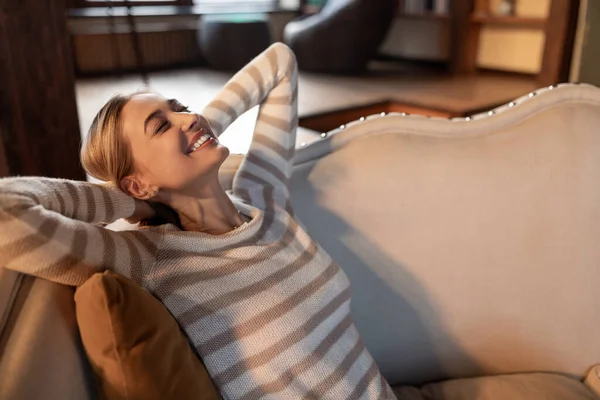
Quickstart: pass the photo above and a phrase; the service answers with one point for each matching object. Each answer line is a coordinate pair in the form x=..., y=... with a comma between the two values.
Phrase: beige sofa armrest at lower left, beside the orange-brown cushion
x=41, y=355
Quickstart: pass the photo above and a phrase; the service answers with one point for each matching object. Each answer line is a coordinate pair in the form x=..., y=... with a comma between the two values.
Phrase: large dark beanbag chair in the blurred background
x=343, y=37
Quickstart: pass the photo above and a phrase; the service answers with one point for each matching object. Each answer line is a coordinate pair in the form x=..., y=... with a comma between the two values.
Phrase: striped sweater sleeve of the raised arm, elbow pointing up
x=271, y=81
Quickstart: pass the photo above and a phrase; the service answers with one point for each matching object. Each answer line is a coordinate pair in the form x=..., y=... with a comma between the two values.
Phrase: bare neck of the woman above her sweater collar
x=207, y=209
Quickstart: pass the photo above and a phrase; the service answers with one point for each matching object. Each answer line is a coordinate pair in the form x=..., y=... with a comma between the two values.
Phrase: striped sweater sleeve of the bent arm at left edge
x=47, y=230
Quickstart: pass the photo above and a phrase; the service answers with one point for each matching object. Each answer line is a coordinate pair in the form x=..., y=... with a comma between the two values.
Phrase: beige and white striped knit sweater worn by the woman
x=264, y=305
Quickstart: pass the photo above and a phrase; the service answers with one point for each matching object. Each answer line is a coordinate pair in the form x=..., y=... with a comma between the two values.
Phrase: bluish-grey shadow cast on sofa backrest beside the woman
x=401, y=328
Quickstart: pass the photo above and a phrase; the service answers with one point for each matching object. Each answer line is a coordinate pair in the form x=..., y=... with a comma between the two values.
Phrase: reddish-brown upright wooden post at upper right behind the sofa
x=558, y=47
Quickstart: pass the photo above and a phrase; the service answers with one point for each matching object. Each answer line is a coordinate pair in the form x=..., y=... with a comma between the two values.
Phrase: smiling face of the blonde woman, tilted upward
x=172, y=148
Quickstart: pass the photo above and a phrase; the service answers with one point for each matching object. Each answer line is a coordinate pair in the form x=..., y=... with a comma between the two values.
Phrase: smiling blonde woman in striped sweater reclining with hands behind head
x=263, y=304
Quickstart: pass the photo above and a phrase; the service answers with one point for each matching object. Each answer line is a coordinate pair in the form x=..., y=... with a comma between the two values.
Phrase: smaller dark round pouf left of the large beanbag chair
x=230, y=41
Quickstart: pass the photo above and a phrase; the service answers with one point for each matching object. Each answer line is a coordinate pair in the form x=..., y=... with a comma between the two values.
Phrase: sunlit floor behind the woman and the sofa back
x=317, y=93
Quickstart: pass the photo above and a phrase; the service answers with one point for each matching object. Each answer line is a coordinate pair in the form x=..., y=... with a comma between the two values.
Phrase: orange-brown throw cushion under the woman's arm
x=135, y=346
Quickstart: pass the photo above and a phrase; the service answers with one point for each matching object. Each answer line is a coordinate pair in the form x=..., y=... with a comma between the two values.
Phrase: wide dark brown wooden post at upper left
x=39, y=128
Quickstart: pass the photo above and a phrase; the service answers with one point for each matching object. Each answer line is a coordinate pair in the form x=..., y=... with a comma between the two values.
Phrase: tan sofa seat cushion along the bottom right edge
x=536, y=386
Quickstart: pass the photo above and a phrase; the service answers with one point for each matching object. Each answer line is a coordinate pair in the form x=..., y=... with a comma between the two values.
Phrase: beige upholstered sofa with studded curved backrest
x=471, y=245
